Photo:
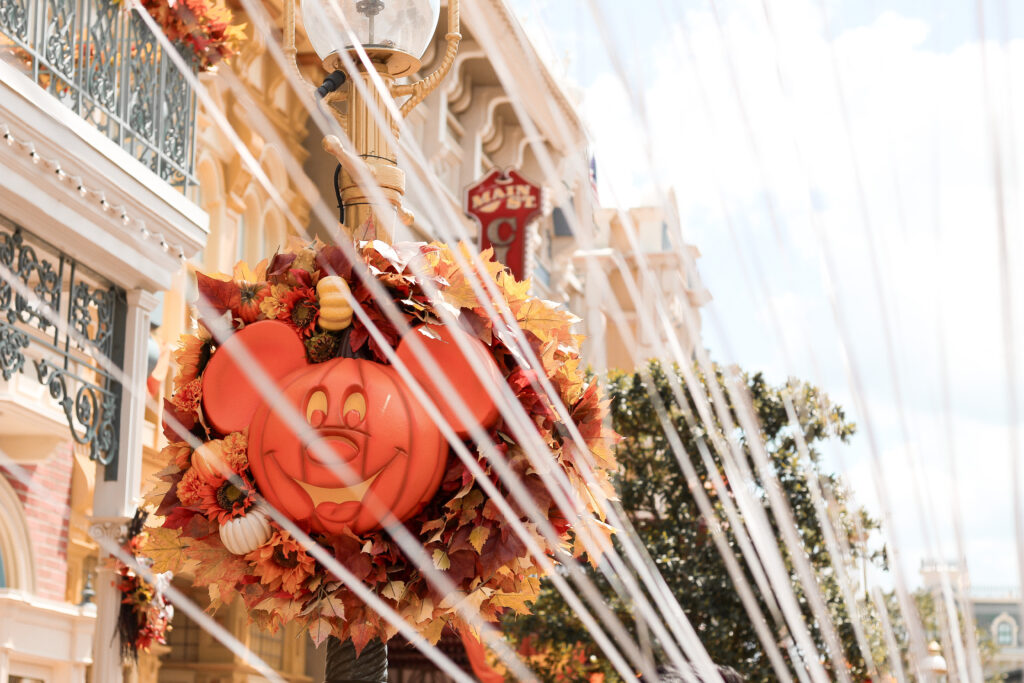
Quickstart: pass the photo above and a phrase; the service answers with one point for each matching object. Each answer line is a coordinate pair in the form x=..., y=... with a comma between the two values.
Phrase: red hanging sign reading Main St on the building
x=504, y=204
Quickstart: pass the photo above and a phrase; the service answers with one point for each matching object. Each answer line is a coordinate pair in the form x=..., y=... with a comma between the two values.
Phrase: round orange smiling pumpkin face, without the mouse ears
x=364, y=443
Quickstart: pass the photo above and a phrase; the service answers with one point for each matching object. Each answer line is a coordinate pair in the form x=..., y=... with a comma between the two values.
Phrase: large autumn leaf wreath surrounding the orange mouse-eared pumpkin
x=307, y=289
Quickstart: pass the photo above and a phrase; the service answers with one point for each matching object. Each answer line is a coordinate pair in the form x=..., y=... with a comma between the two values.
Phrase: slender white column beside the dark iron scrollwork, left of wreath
x=117, y=491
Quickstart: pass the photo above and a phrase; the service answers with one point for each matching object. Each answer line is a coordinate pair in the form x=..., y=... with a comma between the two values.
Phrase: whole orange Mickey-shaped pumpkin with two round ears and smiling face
x=366, y=453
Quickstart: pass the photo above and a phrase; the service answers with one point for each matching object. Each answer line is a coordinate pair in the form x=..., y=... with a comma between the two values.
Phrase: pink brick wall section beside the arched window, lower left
x=48, y=509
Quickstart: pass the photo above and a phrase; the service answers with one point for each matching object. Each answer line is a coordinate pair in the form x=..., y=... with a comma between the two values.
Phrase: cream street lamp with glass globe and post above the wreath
x=394, y=35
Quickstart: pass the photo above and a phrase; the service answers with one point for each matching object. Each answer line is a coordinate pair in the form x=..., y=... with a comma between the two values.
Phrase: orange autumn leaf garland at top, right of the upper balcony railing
x=205, y=26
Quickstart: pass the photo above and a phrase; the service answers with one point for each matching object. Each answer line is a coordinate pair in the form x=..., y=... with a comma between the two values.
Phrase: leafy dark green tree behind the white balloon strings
x=657, y=498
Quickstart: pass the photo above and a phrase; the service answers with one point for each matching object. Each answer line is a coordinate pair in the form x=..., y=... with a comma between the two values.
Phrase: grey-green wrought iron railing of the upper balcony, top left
x=102, y=62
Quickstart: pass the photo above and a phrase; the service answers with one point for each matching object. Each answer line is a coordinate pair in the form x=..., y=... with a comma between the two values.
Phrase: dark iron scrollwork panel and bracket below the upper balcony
x=67, y=320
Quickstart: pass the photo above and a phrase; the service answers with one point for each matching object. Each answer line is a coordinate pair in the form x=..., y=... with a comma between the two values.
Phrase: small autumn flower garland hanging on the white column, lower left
x=146, y=616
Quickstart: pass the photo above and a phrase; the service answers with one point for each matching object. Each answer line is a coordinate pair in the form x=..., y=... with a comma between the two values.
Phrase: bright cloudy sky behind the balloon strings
x=839, y=178
